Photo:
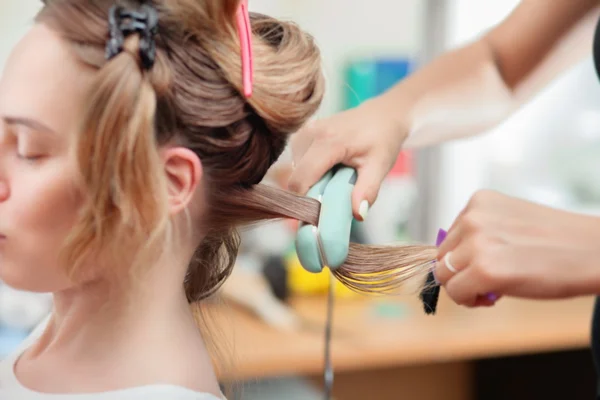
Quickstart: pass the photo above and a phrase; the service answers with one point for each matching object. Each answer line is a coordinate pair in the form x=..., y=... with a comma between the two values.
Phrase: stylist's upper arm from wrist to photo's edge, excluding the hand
x=469, y=90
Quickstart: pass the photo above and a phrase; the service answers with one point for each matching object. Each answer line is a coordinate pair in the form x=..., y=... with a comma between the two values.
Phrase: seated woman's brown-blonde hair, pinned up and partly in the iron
x=193, y=96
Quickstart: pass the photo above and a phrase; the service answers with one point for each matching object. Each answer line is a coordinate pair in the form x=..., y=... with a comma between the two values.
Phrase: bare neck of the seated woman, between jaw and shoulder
x=145, y=303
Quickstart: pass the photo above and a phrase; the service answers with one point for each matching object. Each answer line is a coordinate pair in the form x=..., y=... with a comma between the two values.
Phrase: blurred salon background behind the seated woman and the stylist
x=270, y=314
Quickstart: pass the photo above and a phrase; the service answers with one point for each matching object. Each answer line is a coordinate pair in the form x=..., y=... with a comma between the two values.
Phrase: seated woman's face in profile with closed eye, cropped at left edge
x=41, y=92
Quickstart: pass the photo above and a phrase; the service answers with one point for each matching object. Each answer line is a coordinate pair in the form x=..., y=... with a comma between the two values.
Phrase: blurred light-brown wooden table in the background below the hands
x=365, y=340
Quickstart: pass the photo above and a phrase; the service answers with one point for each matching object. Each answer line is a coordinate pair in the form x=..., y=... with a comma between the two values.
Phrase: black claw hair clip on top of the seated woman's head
x=124, y=22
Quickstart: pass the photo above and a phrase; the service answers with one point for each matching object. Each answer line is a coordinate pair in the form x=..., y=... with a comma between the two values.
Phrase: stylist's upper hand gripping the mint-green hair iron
x=367, y=138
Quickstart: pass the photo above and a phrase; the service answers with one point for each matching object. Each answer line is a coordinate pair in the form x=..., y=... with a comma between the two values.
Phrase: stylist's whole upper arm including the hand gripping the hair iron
x=462, y=93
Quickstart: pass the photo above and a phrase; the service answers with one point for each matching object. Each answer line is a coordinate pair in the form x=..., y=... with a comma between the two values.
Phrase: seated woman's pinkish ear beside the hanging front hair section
x=183, y=170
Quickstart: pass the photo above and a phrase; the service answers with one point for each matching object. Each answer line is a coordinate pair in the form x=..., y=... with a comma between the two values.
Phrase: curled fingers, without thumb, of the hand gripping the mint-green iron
x=319, y=158
